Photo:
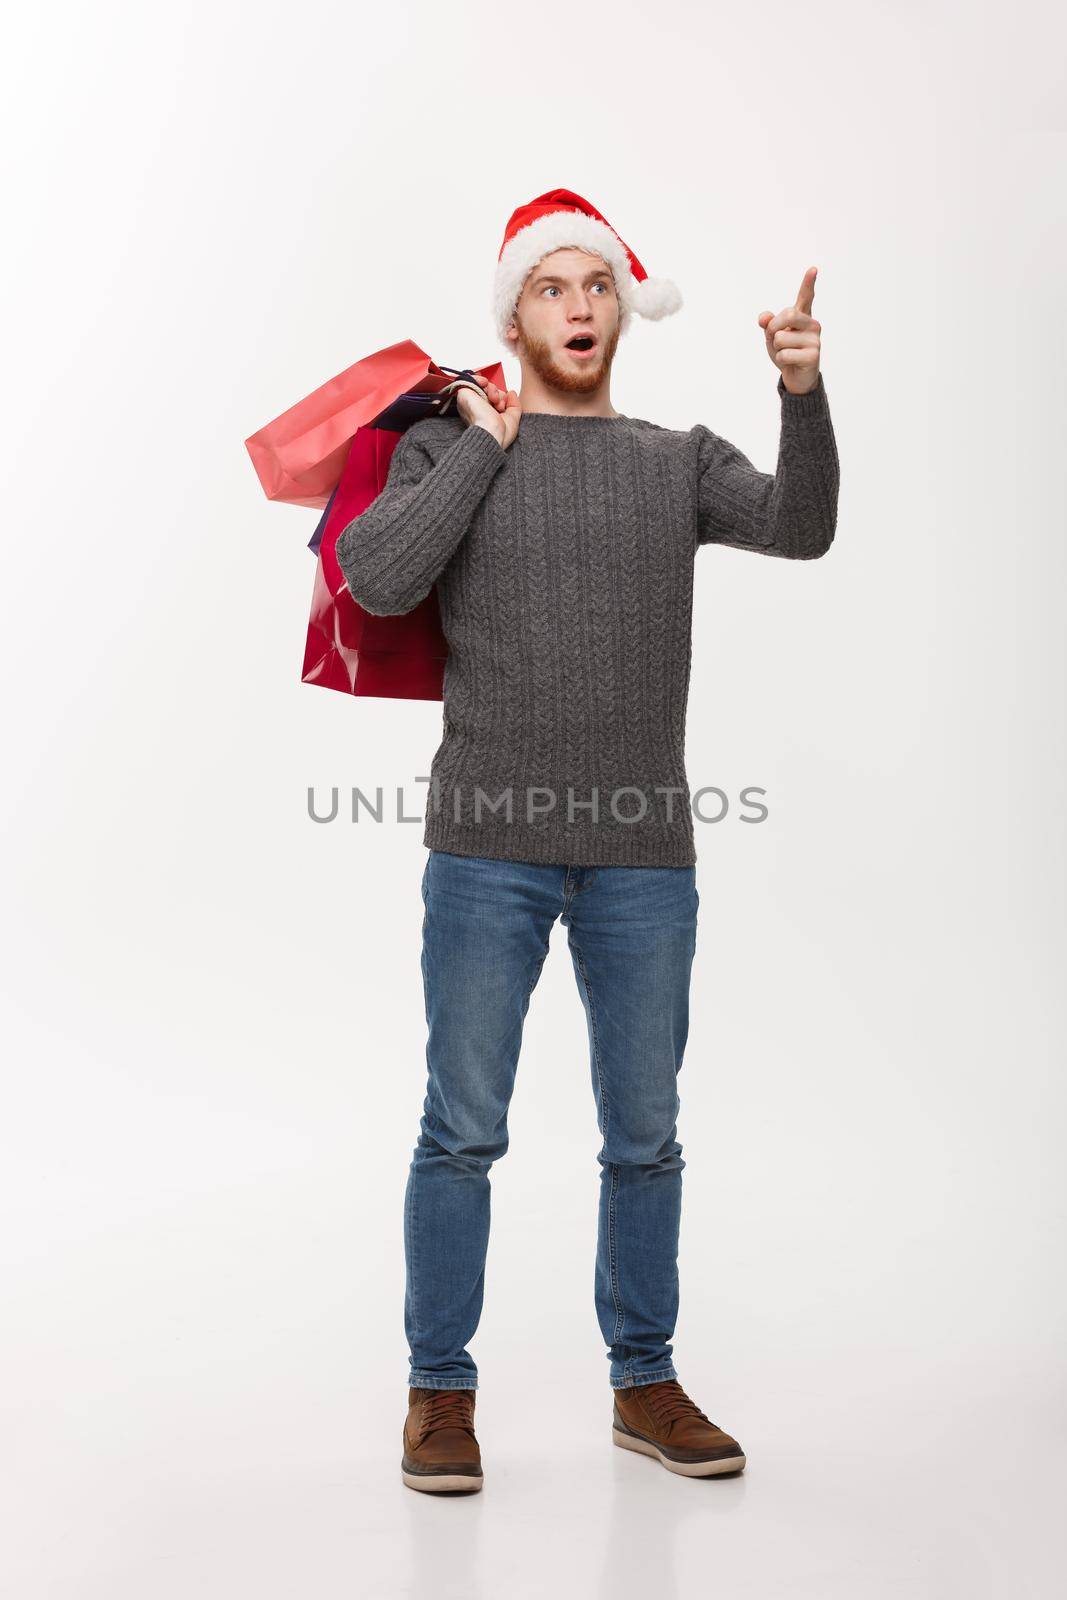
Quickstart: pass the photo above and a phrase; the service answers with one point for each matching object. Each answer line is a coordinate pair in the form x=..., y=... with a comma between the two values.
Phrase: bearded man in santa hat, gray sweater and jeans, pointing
x=562, y=535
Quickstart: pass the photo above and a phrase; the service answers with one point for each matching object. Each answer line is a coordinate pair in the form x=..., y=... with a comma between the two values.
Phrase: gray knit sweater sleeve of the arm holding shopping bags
x=393, y=553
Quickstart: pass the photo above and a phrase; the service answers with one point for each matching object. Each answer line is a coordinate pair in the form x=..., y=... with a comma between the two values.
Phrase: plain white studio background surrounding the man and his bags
x=212, y=1007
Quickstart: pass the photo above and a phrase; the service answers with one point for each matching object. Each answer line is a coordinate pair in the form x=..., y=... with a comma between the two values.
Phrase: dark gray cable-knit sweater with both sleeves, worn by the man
x=564, y=572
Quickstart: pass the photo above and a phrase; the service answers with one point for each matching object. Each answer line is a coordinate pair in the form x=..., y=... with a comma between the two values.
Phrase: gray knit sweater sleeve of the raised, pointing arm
x=793, y=513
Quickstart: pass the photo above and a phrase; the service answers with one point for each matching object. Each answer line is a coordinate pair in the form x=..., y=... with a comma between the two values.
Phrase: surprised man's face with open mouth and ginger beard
x=569, y=295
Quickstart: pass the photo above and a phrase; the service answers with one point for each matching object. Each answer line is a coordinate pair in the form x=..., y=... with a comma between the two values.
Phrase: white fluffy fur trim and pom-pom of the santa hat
x=650, y=298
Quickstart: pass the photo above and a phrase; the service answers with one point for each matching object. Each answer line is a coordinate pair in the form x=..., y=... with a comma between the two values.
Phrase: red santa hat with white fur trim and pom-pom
x=562, y=220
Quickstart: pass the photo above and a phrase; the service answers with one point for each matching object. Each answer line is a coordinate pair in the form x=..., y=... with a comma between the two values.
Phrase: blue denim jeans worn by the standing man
x=486, y=937
